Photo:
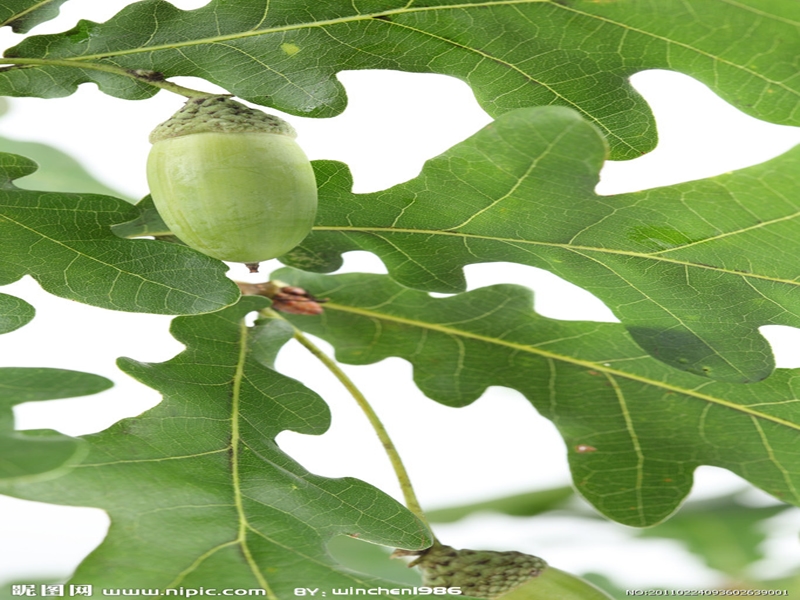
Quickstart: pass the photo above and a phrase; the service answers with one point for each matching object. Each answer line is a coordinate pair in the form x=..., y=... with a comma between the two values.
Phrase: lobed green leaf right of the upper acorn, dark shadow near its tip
x=692, y=270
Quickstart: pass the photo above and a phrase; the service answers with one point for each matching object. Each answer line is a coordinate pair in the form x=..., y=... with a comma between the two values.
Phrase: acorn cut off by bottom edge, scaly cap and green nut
x=501, y=575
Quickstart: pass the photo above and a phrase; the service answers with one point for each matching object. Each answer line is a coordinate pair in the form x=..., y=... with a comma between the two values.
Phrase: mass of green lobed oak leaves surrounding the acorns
x=690, y=270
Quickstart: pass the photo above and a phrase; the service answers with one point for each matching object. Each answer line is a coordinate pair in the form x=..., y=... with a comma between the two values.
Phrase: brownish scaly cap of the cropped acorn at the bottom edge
x=479, y=573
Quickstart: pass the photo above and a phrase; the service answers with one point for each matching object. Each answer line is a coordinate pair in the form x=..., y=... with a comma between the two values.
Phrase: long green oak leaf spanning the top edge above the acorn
x=514, y=53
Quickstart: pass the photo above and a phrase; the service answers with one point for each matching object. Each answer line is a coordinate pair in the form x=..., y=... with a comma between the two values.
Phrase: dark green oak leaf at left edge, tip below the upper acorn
x=65, y=242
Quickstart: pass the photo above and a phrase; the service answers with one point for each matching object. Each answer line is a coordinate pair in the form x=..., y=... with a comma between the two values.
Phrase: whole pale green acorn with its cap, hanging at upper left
x=231, y=182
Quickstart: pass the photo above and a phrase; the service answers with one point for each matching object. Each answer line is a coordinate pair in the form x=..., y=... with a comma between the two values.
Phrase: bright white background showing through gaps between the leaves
x=499, y=445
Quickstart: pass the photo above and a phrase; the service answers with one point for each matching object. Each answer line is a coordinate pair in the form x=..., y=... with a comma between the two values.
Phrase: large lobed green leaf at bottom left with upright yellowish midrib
x=198, y=491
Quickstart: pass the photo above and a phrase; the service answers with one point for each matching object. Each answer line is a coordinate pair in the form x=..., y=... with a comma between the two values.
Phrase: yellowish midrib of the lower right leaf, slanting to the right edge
x=587, y=364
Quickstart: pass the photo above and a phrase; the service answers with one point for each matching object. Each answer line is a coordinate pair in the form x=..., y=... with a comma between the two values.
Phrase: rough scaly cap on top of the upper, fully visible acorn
x=219, y=114
